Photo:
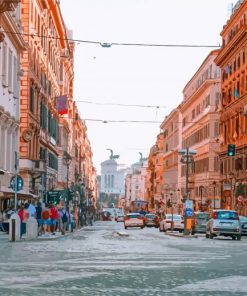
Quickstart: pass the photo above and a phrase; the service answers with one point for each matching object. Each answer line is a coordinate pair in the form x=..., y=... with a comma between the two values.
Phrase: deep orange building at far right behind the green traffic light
x=232, y=59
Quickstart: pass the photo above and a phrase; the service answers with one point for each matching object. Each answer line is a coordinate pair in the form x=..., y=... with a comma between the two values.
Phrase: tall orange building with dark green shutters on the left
x=44, y=66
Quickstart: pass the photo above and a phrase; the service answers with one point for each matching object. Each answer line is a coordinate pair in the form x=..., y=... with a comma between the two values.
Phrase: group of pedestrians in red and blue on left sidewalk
x=49, y=218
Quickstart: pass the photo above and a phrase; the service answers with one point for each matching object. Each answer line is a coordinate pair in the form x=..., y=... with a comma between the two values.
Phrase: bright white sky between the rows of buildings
x=137, y=75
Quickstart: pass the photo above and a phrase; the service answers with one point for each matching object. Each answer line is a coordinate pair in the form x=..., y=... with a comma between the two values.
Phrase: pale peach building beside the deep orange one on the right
x=200, y=132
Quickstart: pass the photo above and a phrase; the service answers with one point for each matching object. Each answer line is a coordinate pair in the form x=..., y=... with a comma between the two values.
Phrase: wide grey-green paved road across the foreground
x=97, y=261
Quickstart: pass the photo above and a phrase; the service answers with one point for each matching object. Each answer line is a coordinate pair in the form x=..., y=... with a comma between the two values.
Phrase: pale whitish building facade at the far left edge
x=11, y=47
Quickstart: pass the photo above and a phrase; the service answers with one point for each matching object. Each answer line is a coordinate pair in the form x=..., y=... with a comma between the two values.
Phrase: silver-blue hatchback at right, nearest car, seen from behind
x=224, y=223
